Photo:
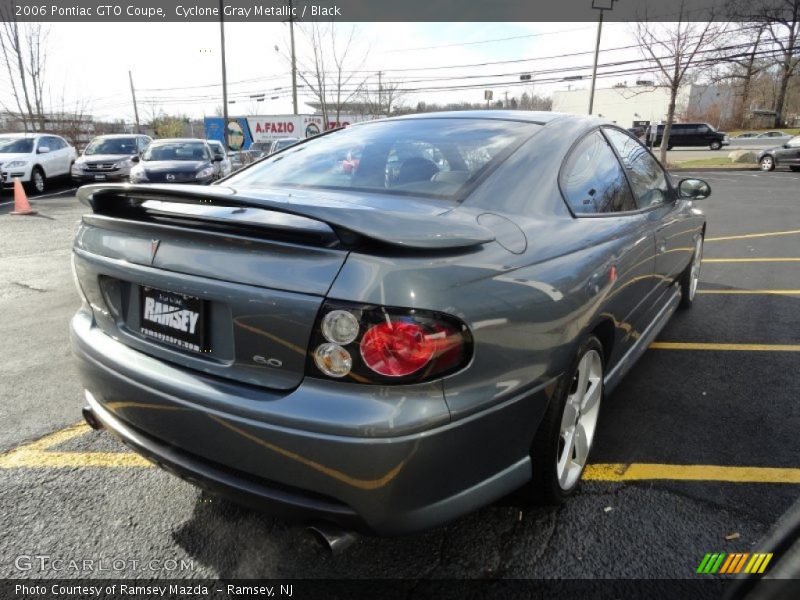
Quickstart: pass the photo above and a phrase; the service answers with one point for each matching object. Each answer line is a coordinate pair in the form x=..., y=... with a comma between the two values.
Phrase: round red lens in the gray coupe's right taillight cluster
x=397, y=349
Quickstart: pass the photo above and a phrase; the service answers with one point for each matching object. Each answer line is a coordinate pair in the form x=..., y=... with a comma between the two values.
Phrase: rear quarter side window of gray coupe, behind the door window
x=592, y=179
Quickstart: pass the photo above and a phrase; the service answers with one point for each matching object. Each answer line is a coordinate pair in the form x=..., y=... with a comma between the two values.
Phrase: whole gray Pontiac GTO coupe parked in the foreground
x=386, y=326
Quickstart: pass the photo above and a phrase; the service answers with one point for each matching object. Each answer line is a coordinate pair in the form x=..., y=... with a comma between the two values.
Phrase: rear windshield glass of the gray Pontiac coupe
x=431, y=157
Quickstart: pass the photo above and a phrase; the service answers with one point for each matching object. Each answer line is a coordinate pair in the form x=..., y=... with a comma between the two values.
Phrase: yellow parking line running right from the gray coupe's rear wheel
x=639, y=471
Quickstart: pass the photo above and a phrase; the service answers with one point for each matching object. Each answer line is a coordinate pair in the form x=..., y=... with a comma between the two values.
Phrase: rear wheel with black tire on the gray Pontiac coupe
x=562, y=443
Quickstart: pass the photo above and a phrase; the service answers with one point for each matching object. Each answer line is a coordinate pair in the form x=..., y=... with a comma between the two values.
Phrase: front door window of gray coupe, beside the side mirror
x=646, y=175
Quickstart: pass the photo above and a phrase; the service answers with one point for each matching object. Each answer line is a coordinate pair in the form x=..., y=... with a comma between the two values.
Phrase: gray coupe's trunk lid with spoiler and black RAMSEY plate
x=226, y=284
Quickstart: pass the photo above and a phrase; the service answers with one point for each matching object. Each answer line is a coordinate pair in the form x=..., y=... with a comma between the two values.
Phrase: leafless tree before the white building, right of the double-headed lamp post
x=673, y=49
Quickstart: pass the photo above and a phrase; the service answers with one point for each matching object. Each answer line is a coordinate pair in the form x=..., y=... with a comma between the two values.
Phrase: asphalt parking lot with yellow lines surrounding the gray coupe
x=696, y=453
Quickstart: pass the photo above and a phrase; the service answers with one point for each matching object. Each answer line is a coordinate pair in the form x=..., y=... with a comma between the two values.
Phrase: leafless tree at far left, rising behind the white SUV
x=23, y=51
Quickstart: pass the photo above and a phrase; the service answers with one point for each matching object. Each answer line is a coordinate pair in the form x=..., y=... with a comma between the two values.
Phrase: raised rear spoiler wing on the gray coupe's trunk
x=419, y=230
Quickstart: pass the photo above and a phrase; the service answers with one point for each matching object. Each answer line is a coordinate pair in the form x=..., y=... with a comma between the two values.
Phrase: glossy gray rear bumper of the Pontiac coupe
x=388, y=485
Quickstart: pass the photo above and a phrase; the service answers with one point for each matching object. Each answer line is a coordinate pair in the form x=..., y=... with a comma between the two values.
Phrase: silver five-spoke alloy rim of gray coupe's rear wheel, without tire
x=579, y=420
